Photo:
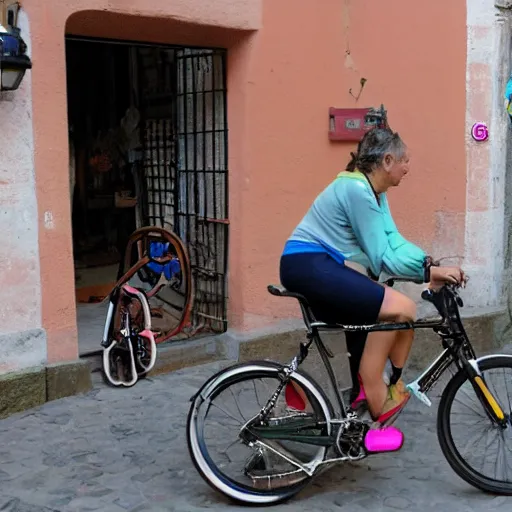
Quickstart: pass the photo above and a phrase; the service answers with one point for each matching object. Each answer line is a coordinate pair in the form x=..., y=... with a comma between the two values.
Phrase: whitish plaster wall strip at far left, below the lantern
x=22, y=341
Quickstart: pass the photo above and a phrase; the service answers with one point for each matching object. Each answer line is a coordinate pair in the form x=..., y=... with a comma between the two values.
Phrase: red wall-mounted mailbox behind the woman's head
x=350, y=124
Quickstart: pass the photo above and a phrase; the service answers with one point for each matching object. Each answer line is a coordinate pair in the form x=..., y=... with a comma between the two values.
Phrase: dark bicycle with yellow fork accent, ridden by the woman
x=285, y=451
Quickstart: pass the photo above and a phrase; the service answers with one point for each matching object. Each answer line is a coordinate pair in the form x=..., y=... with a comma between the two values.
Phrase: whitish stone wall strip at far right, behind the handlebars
x=488, y=68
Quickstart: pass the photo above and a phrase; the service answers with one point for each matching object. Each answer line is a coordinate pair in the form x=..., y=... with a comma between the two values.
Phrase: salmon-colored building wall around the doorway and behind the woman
x=288, y=62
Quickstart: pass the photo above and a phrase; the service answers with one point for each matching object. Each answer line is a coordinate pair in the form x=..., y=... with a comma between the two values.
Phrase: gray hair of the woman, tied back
x=372, y=148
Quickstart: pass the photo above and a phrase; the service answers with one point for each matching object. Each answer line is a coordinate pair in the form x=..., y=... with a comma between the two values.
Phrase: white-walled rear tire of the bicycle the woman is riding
x=212, y=475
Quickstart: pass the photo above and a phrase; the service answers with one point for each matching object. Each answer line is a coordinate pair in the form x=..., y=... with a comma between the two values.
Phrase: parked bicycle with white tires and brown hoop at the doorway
x=159, y=260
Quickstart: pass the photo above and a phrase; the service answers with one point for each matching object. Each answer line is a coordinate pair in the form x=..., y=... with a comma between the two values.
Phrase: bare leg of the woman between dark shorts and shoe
x=380, y=346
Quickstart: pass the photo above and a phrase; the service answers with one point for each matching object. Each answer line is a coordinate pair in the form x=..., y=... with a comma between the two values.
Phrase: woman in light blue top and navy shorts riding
x=350, y=221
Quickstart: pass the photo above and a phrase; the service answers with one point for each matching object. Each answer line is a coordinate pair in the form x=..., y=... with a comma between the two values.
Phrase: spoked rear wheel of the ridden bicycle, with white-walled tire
x=228, y=463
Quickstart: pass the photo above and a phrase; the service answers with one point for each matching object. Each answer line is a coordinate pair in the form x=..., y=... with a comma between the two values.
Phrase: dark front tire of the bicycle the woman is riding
x=444, y=434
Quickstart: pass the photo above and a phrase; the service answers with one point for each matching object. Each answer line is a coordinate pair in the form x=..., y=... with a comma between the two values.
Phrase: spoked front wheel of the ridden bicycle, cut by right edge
x=477, y=449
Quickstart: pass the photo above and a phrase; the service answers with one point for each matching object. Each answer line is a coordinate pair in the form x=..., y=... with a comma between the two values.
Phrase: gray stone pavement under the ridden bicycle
x=119, y=450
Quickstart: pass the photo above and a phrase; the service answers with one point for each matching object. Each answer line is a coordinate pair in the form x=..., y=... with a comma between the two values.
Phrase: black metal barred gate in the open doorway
x=183, y=104
